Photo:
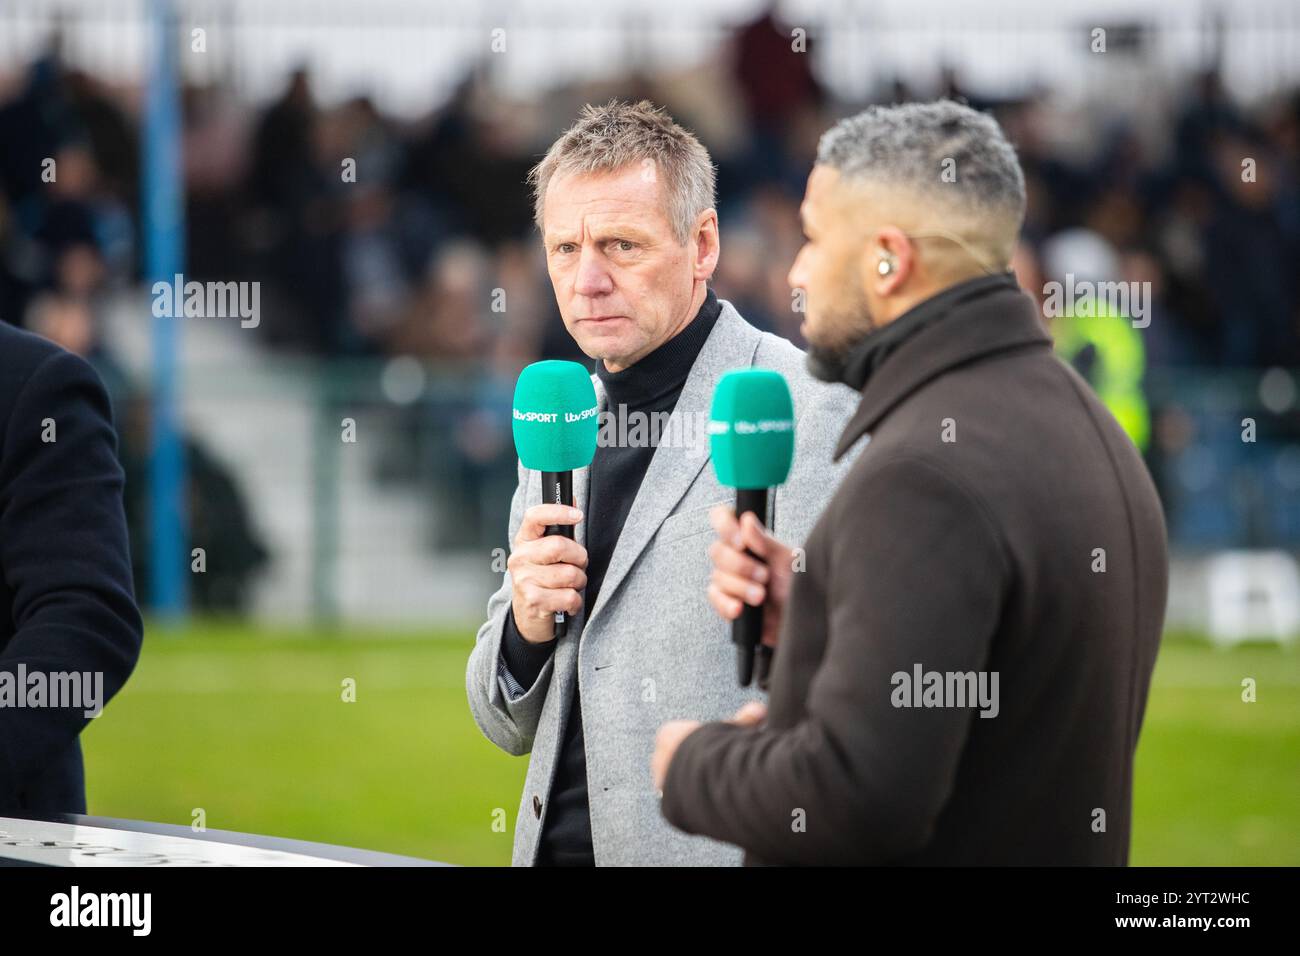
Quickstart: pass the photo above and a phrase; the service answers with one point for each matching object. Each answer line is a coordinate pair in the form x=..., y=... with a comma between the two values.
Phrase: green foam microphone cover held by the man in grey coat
x=556, y=417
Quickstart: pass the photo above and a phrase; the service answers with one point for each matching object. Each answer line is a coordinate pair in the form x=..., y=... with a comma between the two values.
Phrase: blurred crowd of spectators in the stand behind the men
x=406, y=259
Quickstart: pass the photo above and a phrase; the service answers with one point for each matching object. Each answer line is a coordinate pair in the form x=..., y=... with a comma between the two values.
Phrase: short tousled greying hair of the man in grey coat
x=617, y=136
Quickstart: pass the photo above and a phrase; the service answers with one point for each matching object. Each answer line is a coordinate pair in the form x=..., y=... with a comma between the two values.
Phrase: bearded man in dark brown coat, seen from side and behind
x=965, y=650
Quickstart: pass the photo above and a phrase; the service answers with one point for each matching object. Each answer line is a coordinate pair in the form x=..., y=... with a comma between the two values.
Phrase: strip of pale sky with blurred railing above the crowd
x=410, y=54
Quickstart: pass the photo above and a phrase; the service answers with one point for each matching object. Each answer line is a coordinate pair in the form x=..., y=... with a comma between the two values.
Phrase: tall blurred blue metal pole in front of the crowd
x=164, y=254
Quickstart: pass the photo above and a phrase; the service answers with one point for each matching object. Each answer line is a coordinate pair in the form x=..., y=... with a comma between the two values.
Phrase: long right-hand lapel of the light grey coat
x=674, y=468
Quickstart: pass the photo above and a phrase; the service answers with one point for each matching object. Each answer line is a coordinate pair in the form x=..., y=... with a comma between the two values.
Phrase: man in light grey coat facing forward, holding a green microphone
x=626, y=211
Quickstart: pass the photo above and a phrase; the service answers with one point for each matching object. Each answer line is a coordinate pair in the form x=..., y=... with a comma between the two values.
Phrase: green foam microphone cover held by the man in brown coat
x=752, y=429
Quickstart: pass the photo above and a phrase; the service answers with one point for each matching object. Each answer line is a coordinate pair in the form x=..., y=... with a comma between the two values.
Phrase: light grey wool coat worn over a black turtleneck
x=653, y=650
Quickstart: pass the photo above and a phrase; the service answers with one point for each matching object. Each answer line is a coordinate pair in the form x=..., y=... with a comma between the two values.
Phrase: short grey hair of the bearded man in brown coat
x=944, y=152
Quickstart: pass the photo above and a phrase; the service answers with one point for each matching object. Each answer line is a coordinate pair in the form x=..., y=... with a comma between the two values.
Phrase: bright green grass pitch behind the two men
x=250, y=728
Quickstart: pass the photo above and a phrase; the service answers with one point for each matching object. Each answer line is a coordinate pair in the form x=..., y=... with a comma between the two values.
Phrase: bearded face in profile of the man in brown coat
x=827, y=266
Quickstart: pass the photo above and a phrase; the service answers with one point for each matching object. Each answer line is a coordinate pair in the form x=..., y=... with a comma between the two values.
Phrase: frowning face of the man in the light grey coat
x=623, y=283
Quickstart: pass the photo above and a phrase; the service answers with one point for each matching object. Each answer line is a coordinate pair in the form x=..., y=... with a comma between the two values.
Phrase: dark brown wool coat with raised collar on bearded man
x=967, y=556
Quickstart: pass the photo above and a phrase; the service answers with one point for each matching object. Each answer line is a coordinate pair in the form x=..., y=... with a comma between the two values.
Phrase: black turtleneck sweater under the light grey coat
x=649, y=387
